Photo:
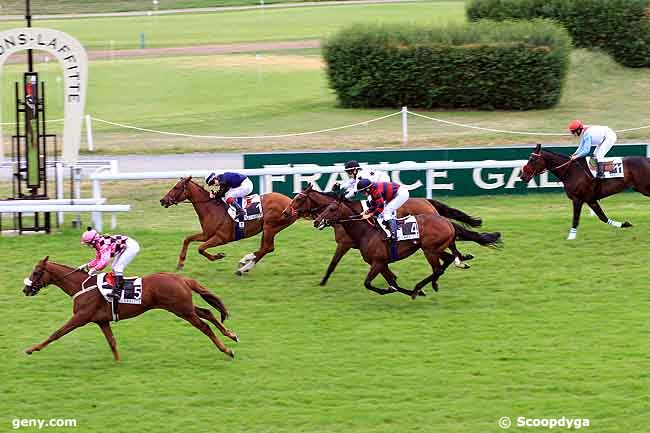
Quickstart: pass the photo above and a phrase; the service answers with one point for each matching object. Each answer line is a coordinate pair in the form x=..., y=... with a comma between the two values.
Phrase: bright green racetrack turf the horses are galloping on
x=542, y=328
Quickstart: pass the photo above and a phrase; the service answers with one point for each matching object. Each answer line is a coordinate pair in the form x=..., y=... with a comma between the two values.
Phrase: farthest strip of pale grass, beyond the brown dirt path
x=244, y=26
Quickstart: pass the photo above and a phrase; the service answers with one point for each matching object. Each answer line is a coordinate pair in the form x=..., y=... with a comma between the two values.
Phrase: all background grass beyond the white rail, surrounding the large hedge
x=271, y=92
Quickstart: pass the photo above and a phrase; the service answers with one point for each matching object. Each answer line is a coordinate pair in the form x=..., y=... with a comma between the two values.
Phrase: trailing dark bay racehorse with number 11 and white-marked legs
x=580, y=185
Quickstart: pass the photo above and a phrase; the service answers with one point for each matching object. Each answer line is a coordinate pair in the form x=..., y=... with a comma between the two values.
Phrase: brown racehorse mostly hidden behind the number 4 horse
x=309, y=203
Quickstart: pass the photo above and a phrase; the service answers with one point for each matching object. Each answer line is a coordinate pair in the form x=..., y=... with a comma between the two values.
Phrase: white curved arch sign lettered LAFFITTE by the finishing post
x=74, y=61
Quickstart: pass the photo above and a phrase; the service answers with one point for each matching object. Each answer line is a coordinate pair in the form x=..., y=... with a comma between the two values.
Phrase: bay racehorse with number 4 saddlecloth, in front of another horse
x=436, y=234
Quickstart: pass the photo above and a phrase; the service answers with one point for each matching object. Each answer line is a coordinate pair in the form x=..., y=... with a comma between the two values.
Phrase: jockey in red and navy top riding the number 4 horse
x=387, y=198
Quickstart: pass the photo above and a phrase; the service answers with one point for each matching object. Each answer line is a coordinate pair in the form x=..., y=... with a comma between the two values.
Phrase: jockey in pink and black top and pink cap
x=122, y=249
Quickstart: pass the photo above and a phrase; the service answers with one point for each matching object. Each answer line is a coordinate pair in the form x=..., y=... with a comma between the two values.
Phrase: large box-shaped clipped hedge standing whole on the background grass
x=485, y=65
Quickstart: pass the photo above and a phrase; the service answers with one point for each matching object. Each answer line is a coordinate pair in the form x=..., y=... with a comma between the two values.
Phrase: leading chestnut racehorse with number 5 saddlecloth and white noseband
x=160, y=290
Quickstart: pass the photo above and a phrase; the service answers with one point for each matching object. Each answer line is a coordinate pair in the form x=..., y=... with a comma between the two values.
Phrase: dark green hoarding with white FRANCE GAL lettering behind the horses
x=456, y=182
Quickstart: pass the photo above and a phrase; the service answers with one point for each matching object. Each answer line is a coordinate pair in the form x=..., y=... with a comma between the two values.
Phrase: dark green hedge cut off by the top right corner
x=620, y=27
